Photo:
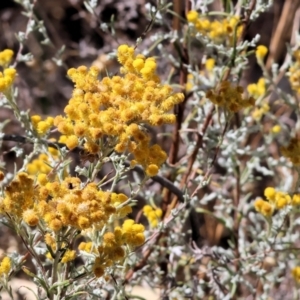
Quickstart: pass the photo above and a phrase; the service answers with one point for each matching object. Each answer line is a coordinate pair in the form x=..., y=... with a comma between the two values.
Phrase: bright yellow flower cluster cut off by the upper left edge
x=8, y=75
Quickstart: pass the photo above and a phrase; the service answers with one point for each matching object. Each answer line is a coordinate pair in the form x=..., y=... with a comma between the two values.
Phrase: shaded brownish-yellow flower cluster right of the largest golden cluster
x=230, y=97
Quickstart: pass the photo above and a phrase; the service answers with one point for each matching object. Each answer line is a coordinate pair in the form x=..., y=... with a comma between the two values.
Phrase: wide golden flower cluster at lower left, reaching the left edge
x=62, y=204
